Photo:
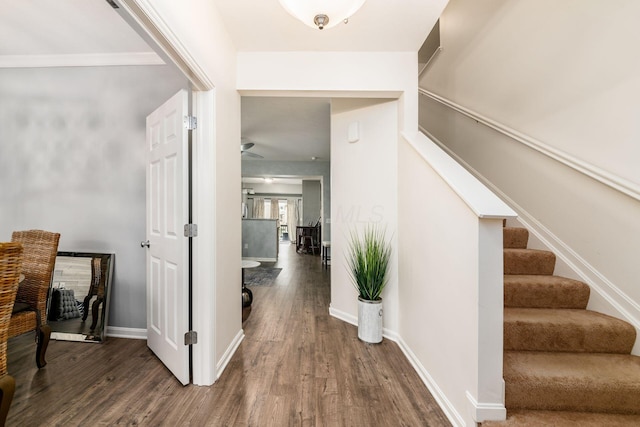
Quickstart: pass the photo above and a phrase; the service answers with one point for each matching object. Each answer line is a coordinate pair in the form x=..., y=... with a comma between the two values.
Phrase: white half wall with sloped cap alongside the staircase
x=450, y=281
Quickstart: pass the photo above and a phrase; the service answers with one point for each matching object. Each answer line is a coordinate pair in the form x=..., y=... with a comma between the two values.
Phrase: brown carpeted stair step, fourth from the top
x=567, y=330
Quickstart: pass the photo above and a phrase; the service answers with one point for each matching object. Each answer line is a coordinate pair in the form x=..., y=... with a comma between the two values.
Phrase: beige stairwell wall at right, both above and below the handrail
x=553, y=86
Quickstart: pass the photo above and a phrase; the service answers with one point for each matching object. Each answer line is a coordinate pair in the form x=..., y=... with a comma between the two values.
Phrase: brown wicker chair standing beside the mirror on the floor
x=30, y=309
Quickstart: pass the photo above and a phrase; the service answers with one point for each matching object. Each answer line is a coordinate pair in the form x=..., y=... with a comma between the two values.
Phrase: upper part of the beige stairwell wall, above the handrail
x=566, y=74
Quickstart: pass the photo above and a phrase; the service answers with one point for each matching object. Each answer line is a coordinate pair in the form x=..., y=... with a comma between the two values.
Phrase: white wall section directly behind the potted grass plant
x=364, y=185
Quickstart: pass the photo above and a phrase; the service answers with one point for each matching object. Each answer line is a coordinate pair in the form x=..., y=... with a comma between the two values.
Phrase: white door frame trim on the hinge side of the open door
x=141, y=15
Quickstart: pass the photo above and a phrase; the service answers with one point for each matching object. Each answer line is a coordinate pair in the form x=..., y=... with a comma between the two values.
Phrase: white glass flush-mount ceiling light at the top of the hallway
x=322, y=13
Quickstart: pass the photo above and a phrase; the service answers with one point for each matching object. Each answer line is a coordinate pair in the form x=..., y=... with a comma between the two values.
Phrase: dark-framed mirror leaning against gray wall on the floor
x=79, y=296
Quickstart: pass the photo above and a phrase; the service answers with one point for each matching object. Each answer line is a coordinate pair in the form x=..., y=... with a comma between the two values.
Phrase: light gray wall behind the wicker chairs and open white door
x=72, y=160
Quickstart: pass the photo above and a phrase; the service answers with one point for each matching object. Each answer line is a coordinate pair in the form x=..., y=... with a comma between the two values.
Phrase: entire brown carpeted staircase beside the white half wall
x=564, y=365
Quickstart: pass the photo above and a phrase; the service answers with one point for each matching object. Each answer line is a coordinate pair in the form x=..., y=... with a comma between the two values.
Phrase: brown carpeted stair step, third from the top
x=537, y=291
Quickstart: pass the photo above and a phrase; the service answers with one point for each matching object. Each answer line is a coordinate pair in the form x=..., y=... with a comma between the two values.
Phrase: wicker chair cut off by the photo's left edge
x=10, y=267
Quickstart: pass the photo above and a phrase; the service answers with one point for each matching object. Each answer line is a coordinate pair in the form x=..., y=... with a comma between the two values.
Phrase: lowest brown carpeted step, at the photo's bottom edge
x=523, y=418
